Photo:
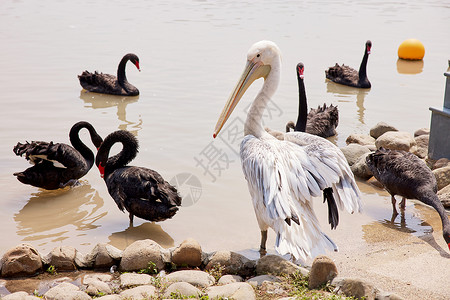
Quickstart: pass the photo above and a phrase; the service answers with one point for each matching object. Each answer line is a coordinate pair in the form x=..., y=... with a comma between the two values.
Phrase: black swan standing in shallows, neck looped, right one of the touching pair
x=141, y=191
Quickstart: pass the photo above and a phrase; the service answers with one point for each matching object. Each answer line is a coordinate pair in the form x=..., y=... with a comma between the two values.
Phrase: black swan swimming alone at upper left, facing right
x=110, y=84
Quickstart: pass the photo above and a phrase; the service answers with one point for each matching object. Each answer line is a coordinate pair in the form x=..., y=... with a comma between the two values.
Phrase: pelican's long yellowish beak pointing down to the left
x=251, y=72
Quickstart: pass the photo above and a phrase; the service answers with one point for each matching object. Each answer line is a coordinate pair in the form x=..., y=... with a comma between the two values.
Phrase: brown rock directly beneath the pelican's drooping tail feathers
x=276, y=265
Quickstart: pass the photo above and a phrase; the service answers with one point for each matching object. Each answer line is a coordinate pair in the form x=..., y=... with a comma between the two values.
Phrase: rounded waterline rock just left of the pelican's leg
x=233, y=263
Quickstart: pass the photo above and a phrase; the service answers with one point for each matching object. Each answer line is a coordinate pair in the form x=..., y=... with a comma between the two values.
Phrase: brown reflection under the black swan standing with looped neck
x=147, y=230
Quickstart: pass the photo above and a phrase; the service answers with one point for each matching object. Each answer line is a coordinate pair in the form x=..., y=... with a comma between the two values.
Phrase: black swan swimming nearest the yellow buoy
x=348, y=76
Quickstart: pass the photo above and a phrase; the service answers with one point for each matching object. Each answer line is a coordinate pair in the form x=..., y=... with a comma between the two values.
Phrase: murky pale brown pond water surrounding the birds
x=191, y=54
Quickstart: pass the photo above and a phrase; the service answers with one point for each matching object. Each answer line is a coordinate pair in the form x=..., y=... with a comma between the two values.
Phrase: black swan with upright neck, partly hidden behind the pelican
x=321, y=121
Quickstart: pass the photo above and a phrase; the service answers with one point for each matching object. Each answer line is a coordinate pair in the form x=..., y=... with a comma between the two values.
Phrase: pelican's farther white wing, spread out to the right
x=333, y=165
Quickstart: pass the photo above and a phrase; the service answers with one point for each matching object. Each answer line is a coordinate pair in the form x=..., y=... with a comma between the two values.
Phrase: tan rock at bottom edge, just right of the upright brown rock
x=355, y=288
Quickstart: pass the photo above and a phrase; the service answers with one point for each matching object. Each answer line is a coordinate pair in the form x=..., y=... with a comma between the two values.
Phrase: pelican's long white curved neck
x=253, y=123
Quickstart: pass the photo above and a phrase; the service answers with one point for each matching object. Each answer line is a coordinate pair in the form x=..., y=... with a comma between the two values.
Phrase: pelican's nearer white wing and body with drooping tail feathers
x=282, y=181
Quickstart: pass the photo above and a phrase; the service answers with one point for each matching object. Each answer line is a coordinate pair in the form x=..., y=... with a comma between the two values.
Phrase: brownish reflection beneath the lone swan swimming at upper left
x=96, y=101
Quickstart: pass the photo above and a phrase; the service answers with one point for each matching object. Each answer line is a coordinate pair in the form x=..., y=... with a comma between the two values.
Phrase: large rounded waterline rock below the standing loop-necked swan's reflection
x=139, y=254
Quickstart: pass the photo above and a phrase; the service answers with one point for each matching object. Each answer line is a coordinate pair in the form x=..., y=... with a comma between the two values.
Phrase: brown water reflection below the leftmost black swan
x=51, y=214
